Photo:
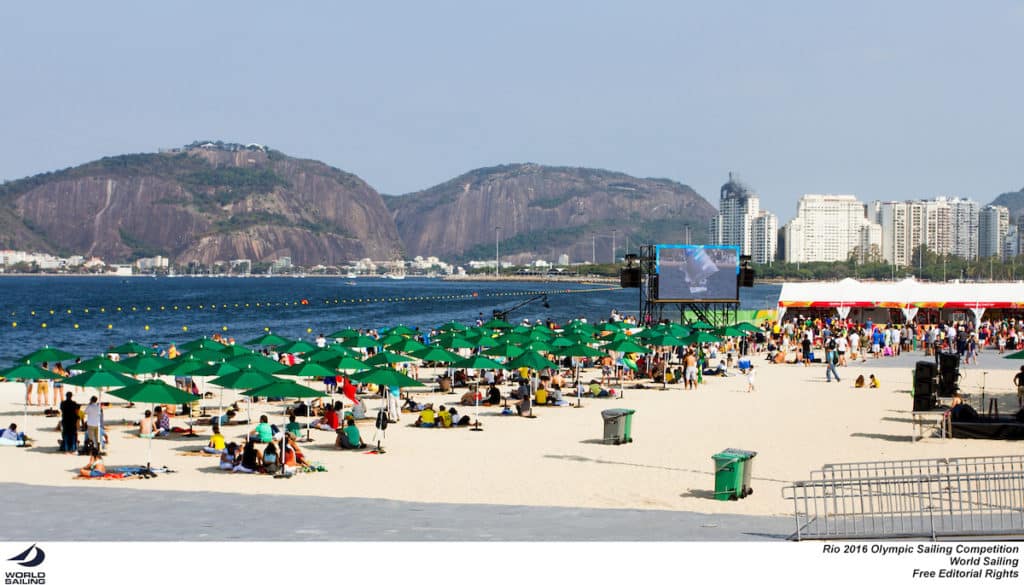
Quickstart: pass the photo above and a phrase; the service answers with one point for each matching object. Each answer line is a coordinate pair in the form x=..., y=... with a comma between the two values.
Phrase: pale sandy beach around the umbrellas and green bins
x=795, y=421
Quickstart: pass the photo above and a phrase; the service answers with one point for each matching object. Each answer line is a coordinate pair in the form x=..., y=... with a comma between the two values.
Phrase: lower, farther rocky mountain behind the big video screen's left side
x=545, y=212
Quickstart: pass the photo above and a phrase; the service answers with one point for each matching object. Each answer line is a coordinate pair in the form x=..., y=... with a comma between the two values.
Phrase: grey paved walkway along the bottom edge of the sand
x=45, y=514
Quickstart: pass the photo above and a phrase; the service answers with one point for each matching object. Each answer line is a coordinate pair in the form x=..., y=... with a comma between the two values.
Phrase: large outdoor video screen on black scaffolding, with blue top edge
x=703, y=282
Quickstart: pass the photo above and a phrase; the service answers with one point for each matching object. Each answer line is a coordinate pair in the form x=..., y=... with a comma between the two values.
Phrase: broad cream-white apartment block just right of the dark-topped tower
x=830, y=229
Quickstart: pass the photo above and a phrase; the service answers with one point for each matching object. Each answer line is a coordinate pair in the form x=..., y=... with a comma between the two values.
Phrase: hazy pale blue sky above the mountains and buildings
x=880, y=100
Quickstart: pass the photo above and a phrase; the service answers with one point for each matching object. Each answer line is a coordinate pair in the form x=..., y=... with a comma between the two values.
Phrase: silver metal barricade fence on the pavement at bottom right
x=974, y=497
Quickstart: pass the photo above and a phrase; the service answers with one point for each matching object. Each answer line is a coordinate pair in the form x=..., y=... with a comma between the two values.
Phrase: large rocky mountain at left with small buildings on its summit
x=204, y=203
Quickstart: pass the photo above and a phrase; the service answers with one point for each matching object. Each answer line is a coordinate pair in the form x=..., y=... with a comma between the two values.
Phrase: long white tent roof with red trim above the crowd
x=903, y=295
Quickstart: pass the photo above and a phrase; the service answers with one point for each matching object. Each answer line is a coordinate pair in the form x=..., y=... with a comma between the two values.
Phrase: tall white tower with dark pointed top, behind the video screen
x=742, y=223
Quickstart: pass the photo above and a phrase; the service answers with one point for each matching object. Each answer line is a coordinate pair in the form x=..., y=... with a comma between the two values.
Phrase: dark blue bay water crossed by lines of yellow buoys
x=88, y=315
